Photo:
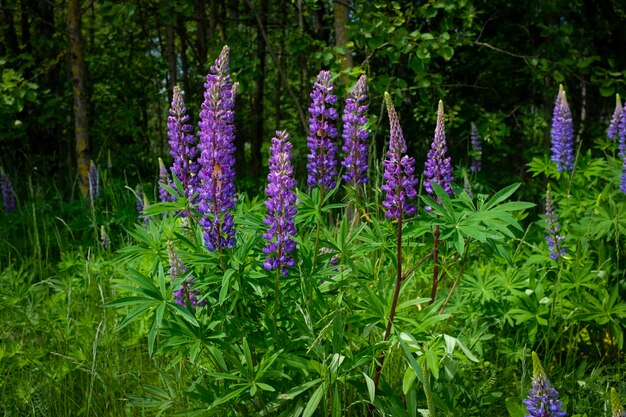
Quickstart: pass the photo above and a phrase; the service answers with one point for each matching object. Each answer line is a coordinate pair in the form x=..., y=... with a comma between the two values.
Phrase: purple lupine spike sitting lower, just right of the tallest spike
x=281, y=206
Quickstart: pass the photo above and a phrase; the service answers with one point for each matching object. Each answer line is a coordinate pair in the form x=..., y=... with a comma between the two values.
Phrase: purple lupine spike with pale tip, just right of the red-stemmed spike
x=438, y=166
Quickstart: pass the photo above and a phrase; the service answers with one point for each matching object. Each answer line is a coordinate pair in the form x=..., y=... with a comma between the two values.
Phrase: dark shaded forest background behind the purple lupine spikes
x=497, y=64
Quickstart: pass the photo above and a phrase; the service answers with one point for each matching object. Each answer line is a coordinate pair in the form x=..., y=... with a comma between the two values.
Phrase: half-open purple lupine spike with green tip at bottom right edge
x=542, y=398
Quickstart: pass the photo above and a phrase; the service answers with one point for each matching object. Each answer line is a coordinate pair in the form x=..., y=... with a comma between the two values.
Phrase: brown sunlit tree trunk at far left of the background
x=77, y=67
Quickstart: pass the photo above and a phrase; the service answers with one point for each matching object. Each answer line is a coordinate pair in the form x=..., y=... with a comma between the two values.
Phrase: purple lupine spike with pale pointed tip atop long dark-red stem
x=399, y=181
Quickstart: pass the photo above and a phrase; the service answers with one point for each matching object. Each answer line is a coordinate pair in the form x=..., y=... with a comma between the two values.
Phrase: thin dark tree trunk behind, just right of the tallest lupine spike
x=259, y=92
